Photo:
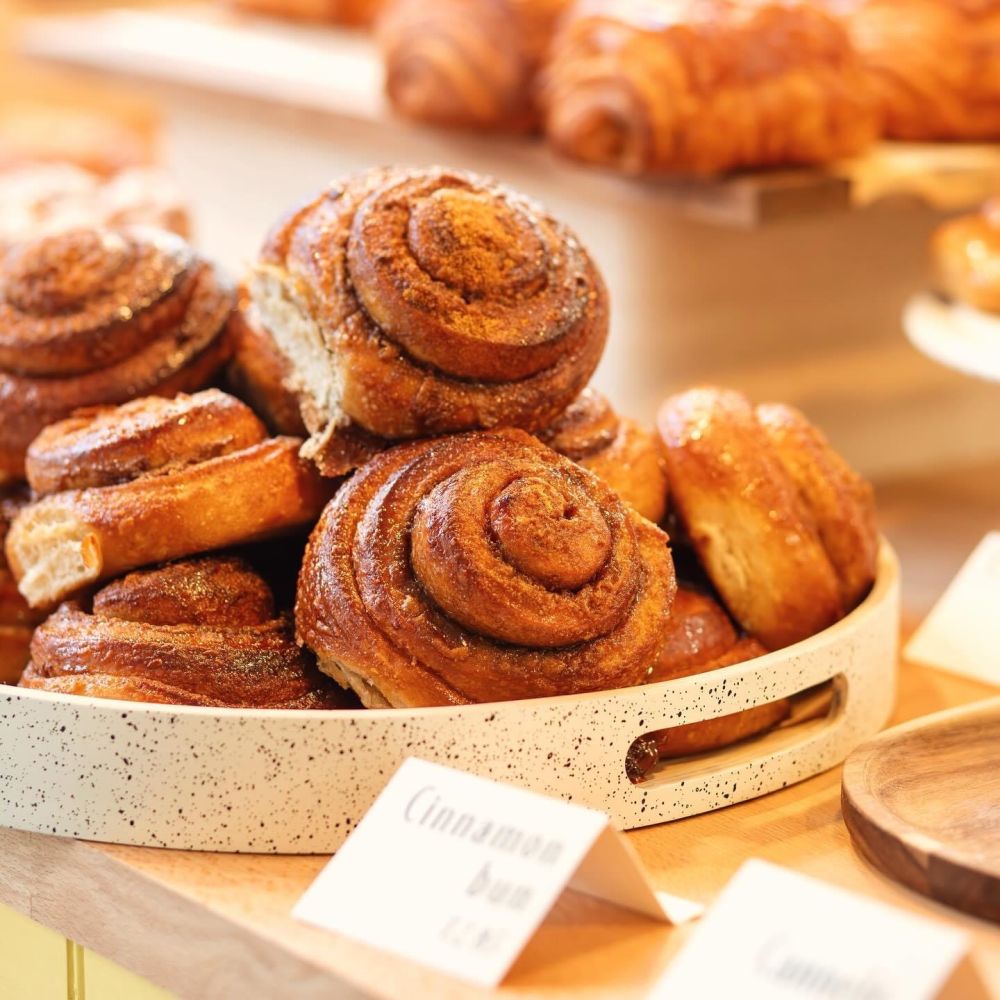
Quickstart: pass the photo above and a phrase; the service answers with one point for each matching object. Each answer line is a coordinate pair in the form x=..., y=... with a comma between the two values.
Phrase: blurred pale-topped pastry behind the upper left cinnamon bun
x=42, y=199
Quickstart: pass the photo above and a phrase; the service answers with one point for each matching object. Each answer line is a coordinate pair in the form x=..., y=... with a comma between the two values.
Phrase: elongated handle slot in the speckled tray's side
x=698, y=749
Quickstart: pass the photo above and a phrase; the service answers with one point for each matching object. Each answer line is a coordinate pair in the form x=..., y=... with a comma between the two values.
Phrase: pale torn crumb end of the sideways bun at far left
x=58, y=554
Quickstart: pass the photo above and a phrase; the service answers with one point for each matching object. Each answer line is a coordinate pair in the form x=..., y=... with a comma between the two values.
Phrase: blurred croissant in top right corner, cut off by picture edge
x=933, y=65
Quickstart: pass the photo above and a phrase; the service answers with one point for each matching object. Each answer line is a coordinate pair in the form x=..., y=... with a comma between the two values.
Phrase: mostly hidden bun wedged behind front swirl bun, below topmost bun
x=627, y=456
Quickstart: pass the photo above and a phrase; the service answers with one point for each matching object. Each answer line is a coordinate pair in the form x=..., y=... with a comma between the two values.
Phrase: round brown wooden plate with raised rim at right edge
x=922, y=804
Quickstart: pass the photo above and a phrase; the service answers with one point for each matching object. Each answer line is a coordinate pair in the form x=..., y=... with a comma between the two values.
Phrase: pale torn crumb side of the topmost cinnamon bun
x=298, y=336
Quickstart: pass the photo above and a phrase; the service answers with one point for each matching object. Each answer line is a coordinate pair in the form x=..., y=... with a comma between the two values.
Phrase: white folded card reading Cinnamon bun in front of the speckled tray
x=457, y=872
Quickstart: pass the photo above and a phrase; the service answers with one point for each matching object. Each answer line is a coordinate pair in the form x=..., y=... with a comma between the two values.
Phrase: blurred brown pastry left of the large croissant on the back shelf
x=466, y=63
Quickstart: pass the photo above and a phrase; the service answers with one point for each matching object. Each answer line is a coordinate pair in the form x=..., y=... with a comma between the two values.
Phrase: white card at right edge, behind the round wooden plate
x=962, y=632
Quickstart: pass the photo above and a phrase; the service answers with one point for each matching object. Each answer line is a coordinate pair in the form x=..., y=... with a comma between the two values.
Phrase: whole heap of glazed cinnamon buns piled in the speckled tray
x=460, y=516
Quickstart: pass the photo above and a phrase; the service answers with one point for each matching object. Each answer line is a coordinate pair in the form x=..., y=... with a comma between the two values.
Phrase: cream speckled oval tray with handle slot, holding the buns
x=297, y=782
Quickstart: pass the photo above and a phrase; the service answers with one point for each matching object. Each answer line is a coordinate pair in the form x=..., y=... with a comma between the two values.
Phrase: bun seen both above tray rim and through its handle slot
x=700, y=637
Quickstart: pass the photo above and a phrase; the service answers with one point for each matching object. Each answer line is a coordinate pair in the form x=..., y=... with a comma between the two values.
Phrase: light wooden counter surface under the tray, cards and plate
x=213, y=925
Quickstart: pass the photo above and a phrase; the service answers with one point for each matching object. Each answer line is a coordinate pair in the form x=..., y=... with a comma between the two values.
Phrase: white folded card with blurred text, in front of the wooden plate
x=773, y=934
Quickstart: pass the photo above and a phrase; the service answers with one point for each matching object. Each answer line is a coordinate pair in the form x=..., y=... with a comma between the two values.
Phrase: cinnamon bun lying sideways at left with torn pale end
x=152, y=480
